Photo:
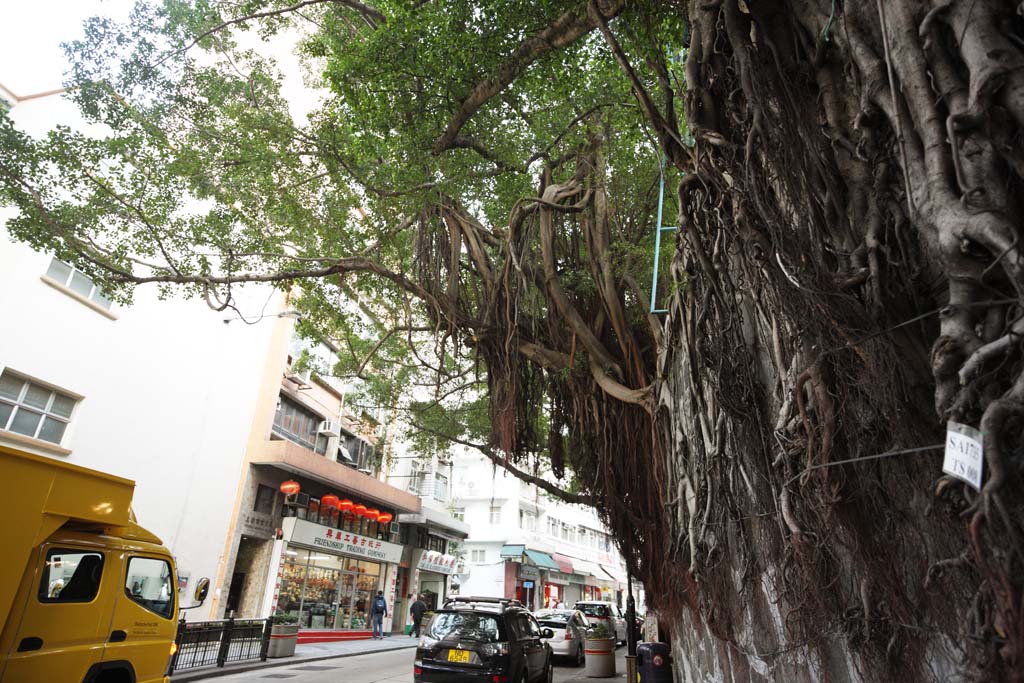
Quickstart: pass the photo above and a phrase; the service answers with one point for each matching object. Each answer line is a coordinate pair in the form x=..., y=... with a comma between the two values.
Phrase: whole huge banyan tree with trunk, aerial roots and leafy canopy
x=467, y=199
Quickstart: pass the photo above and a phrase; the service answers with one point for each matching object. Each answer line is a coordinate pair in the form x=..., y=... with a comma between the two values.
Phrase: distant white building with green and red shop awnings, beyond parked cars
x=528, y=545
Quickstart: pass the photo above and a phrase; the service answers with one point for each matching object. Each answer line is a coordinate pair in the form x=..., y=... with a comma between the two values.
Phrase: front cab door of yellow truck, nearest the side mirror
x=144, y=625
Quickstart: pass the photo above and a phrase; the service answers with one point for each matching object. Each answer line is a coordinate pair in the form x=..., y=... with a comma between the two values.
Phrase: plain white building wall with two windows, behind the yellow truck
x=162, y=393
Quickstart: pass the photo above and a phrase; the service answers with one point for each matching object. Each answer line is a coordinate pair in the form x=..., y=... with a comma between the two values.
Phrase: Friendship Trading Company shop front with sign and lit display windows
x=328, y=577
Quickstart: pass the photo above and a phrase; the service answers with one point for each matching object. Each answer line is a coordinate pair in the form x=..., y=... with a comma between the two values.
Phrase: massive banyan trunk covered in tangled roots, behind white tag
x=849, y=279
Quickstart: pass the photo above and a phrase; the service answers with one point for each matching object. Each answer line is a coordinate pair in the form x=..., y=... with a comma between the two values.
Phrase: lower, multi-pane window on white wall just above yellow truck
x=33, y=410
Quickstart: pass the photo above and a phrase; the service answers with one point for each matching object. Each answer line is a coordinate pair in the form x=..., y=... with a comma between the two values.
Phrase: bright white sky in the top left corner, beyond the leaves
x=31, y=33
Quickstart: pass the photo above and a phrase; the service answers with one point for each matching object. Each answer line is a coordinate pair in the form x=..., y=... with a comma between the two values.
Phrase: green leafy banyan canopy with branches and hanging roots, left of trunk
x=466, y=209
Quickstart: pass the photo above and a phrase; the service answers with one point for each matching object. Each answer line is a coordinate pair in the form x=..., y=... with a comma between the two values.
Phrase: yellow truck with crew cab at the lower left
x=87, y=594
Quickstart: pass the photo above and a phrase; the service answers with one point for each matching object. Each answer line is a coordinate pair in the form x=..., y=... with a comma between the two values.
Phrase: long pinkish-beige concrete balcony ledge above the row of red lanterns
x=297, y=460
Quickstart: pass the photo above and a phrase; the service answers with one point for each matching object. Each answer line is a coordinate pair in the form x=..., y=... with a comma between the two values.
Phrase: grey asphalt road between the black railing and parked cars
x=387, y=668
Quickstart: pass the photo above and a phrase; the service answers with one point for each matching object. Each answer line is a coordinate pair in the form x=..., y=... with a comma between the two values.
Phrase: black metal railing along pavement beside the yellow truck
x=217, y=644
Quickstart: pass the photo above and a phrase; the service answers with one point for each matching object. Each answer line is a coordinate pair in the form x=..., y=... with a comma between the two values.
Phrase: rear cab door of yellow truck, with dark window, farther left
x=65, y=618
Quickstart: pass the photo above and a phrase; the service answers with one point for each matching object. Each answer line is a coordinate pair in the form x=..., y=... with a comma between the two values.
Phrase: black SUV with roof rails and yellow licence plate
x=493, y=641
